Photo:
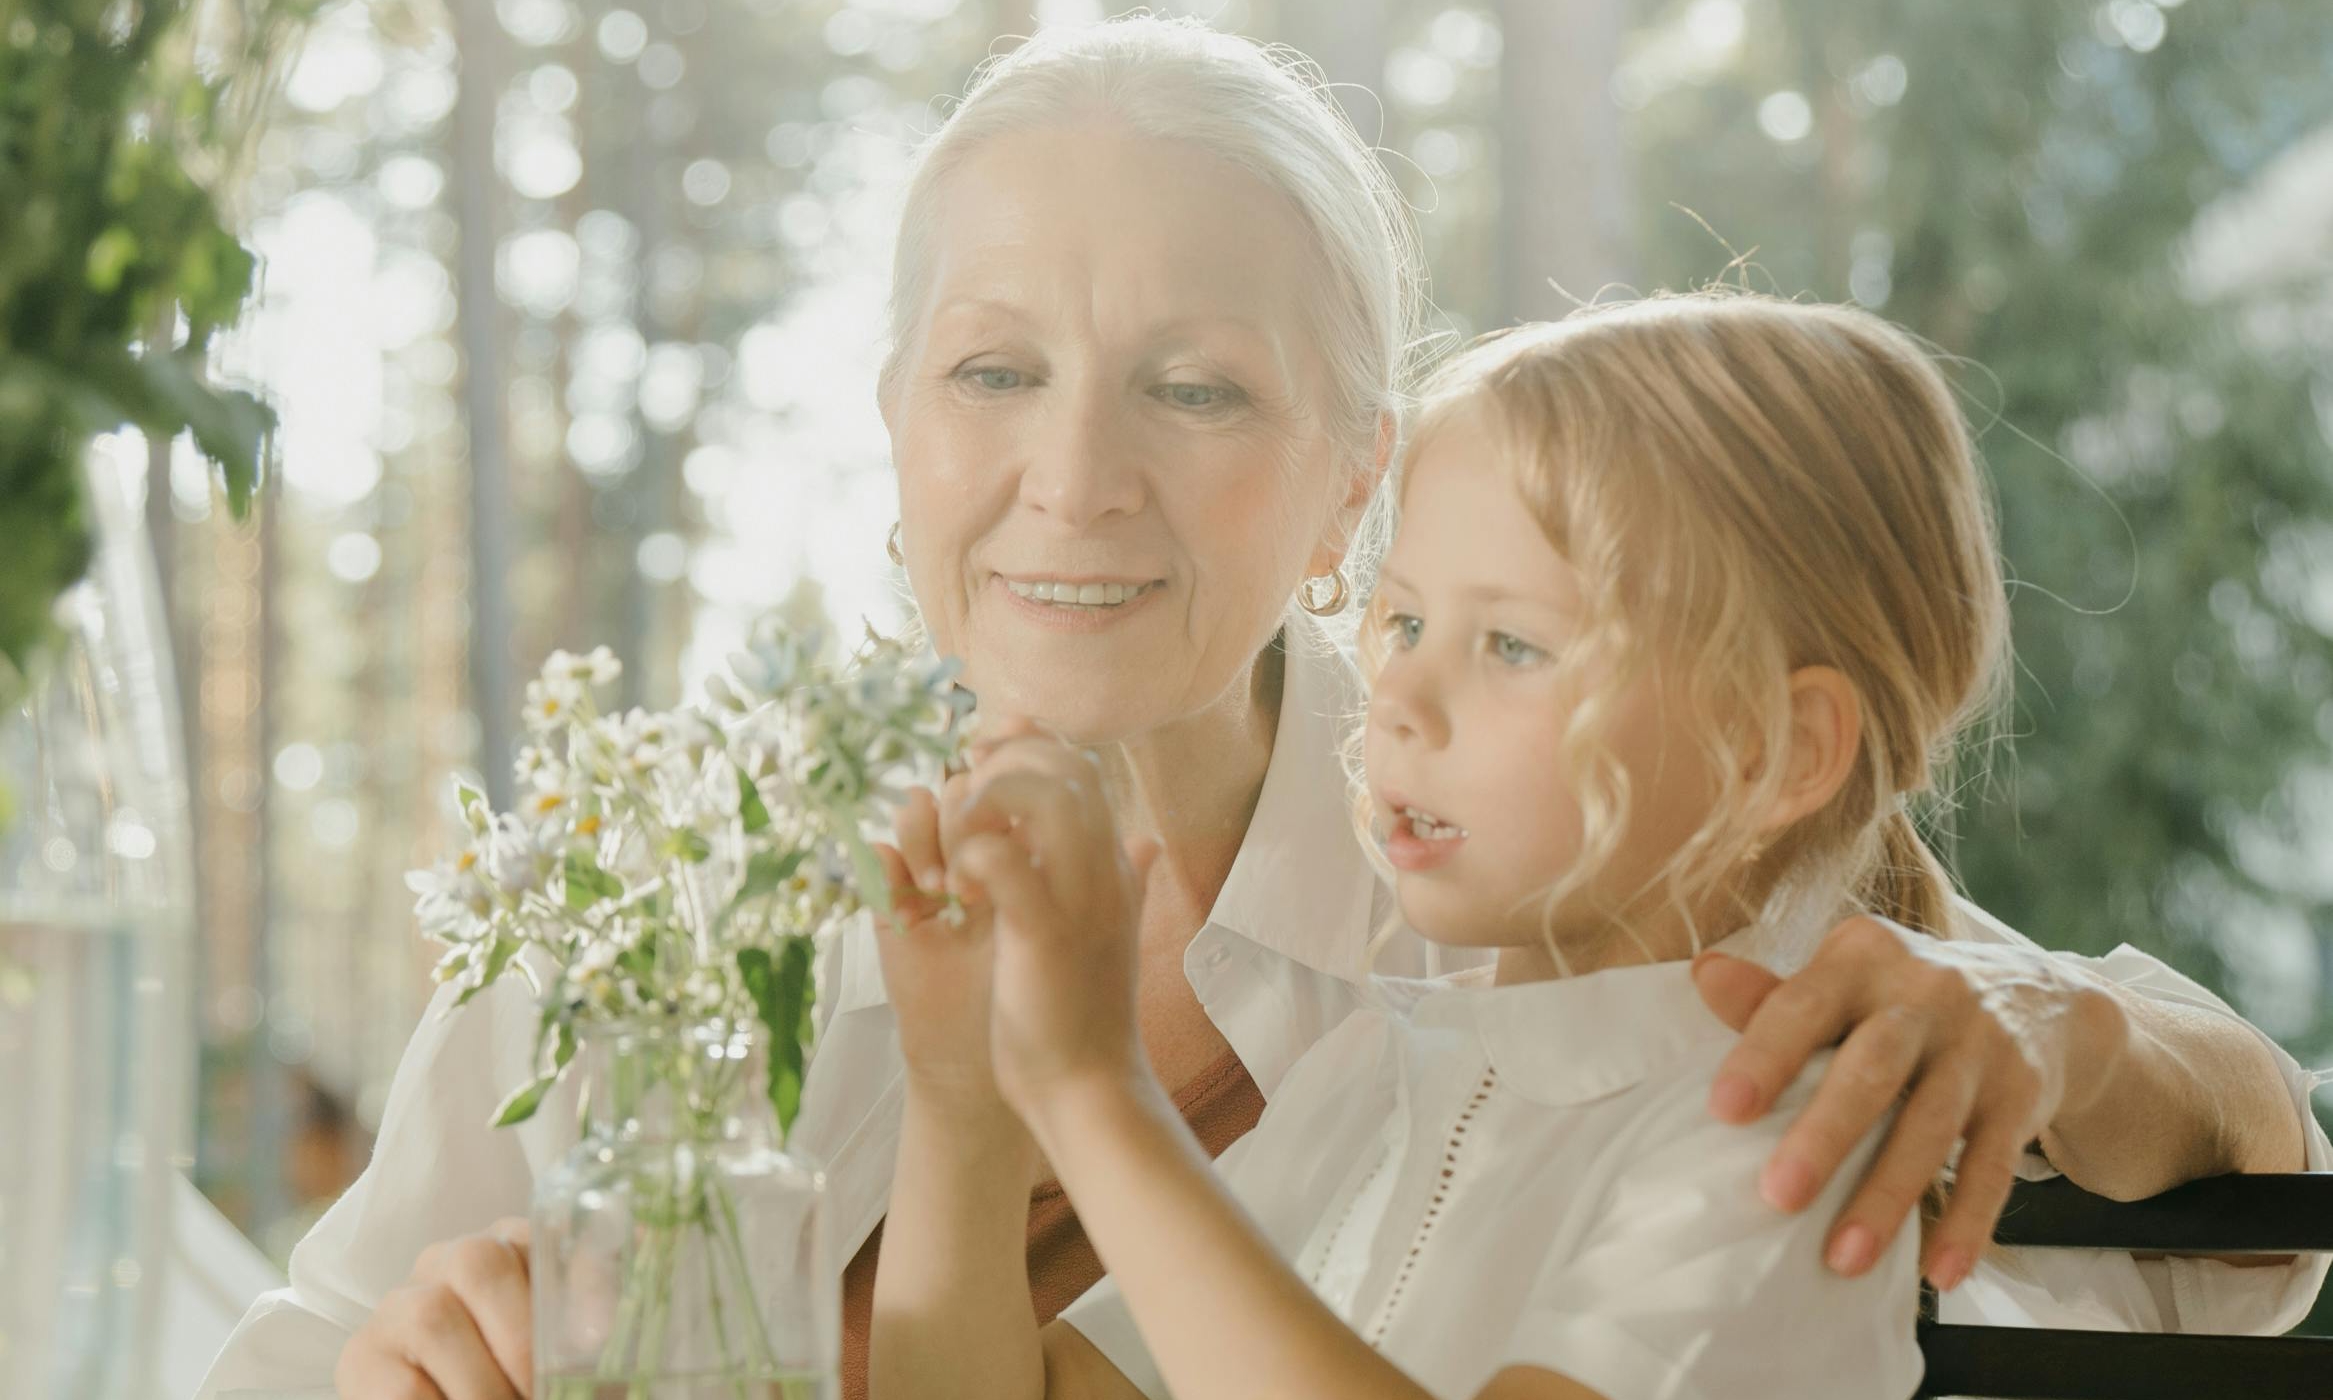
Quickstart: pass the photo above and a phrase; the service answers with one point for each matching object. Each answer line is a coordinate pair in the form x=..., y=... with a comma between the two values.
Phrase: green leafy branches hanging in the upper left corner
x=115, y=129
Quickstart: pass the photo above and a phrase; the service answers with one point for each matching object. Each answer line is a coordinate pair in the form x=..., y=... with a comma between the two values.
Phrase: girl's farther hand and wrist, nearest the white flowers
x=937, y=965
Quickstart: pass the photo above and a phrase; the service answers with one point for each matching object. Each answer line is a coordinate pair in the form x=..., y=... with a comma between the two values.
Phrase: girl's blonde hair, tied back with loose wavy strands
x=1751, y=486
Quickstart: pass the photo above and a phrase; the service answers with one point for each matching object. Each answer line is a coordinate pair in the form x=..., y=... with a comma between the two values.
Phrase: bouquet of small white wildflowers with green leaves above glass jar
x=682, y=867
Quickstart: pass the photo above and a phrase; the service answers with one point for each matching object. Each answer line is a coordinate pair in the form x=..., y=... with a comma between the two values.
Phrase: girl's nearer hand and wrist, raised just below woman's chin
x=1037, y=843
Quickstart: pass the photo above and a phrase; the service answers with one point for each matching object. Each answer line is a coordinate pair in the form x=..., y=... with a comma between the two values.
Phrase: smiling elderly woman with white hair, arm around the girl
x=1154, y=307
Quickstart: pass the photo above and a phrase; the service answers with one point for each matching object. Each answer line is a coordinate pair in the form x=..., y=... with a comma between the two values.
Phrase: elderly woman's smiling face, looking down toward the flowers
x=1112, y=454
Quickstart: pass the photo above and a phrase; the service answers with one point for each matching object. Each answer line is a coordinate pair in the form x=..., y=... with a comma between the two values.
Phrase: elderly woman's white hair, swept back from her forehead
x=1261, y=108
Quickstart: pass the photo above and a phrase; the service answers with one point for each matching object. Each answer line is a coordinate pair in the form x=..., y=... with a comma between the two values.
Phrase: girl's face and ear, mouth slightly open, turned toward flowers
x=1466, y=731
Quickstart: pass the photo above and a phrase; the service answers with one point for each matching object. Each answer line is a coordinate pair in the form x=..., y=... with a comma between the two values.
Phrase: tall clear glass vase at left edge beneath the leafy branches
x=97, y=1065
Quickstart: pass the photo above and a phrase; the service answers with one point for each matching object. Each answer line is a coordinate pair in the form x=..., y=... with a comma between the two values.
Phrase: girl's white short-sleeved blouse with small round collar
x=1487, y=1177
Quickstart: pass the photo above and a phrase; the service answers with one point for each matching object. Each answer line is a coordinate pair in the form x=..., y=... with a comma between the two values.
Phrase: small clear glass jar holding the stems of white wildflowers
x=680, y=1252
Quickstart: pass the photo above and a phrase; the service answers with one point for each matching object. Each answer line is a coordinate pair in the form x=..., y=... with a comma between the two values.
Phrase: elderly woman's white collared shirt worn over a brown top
x=1280, y=962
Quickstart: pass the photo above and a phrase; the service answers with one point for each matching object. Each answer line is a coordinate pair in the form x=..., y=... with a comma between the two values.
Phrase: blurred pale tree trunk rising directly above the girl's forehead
x=1564, y=183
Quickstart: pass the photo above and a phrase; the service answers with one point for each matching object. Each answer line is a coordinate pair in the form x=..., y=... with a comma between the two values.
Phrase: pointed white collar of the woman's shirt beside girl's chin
x=1303, y=885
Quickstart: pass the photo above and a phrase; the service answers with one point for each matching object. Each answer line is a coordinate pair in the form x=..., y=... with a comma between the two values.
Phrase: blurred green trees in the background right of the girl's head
x=2019, y=183
